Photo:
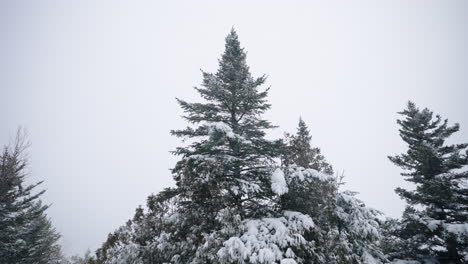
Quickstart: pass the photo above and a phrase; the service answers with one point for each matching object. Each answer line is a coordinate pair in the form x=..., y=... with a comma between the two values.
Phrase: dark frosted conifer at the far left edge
x=26, y=234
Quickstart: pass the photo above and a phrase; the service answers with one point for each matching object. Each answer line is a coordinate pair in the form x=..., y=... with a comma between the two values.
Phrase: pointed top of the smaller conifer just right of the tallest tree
x=300, y=152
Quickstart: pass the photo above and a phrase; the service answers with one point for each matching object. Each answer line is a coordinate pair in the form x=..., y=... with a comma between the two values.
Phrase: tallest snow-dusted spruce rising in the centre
x=228, y=164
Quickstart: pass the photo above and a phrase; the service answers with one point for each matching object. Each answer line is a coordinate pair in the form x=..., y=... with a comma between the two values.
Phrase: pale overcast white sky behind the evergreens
x=94, y=83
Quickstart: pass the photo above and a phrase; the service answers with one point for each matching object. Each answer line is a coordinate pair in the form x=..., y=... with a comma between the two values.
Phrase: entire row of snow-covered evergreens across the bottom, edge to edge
x=242, y=198
